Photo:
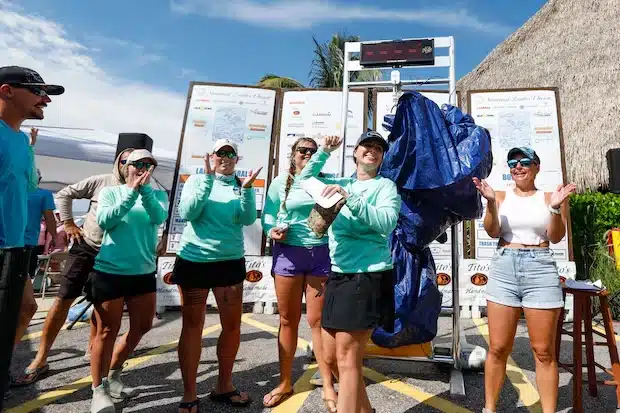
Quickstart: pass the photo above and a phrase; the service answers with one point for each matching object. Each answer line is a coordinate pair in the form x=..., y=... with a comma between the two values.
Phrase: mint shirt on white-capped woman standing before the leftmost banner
x=216, y=209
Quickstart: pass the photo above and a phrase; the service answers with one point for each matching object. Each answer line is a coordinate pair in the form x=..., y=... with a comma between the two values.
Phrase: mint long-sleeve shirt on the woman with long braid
x=295, y=214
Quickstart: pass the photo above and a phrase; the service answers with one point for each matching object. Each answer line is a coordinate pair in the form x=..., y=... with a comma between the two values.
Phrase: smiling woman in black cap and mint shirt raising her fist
x=359, y=294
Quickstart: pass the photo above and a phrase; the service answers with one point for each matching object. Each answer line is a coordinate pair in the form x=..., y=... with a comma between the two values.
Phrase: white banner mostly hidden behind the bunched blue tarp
x=385, y=106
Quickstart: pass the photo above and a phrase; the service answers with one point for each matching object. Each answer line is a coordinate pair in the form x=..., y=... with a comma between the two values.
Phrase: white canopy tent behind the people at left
x=65, y=156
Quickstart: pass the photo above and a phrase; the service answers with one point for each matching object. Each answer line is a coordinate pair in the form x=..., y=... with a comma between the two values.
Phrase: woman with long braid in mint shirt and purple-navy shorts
x=301, y=263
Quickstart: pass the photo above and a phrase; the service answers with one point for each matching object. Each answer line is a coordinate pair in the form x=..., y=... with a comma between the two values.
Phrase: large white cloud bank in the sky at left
x=94, y=98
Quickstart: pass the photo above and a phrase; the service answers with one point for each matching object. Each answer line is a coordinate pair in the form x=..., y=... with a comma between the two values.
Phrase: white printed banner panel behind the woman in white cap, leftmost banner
x=241, y=114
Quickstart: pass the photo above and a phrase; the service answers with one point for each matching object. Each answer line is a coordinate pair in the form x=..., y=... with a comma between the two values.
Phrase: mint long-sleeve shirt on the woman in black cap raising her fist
x=358, y=237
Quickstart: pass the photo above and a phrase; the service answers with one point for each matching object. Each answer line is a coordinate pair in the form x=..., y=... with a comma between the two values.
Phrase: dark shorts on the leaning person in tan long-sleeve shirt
x=79, y=264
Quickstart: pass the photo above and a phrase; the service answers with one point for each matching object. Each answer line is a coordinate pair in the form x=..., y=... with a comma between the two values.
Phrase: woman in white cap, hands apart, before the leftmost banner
x=216, y=206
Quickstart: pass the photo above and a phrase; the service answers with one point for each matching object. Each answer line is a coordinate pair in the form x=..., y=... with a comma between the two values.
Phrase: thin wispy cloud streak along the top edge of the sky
x=302, y=14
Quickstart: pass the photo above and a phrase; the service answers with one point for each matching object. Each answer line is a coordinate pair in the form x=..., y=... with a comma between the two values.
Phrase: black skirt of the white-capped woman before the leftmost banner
x=207, y=275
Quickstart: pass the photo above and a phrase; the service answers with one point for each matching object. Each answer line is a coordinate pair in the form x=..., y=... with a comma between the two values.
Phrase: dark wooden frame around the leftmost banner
x=273, y=143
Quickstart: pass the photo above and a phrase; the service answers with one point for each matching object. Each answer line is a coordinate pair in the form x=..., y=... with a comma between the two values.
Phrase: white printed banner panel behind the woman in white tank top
x=519, y=118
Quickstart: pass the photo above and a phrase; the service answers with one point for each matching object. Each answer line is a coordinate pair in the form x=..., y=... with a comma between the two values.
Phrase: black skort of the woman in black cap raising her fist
x=359, y=301
